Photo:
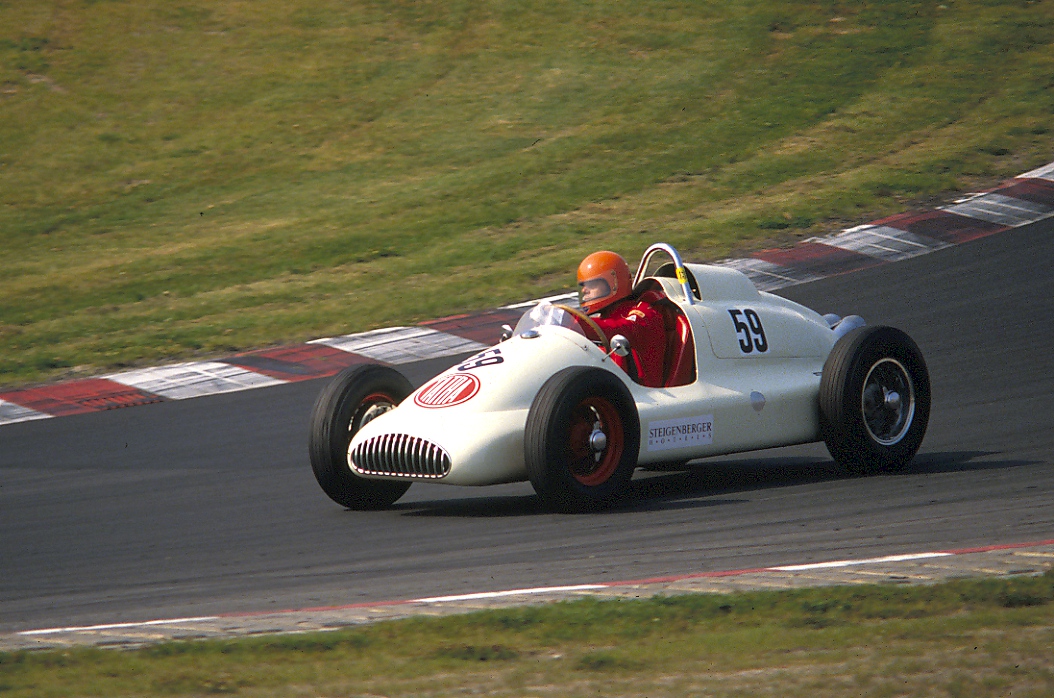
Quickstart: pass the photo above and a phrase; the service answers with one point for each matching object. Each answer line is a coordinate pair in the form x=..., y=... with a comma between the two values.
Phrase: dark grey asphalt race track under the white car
x=208, y=506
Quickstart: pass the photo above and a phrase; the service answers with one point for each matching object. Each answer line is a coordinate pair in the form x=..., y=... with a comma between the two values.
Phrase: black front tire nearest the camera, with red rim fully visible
x=570, y=471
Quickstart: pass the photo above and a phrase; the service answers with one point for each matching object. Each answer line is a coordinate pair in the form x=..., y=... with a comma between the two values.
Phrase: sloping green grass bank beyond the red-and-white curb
x=186, y=179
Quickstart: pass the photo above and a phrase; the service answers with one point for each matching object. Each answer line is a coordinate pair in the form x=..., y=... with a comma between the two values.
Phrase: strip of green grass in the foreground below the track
x=966, y=638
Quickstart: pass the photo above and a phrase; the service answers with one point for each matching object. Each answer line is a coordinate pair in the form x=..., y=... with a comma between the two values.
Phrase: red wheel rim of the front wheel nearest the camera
x=589, y=466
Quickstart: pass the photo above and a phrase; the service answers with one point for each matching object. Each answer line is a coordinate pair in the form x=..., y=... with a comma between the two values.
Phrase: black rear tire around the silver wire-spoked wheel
x=874, y=401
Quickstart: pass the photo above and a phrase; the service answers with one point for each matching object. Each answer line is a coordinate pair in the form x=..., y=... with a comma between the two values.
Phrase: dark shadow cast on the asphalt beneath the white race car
x=709, y=483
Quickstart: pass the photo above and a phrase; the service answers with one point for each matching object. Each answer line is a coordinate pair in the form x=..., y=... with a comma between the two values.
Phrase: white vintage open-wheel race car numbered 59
x=744, y=371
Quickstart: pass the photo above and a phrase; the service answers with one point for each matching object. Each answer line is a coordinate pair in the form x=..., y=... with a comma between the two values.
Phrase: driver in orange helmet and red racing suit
x=607, y=295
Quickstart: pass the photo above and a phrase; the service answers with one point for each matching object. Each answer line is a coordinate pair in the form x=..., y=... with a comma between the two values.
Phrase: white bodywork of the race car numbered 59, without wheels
x=741, y=400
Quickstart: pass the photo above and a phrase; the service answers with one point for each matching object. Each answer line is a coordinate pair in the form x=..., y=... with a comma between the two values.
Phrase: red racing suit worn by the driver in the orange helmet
x=639, y=322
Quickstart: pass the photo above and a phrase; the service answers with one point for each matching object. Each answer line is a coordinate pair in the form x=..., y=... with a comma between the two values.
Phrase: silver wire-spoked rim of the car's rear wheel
x=888, y=402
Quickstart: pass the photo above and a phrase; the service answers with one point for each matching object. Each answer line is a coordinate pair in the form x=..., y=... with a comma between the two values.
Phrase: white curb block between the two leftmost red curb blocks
x=194, y=380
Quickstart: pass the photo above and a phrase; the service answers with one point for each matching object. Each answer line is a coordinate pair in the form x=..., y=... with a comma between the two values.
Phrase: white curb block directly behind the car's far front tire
x=403, y=345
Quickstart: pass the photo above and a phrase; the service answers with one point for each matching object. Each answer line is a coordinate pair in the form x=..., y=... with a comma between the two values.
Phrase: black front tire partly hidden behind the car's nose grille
x=344, y=406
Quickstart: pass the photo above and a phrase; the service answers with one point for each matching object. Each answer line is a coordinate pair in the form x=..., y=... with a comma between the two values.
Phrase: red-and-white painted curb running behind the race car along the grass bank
x=1019, y=202
